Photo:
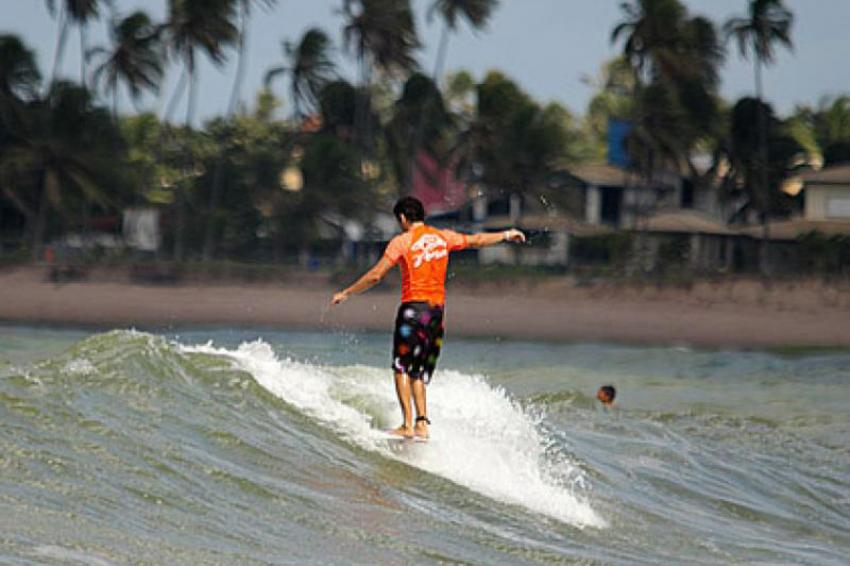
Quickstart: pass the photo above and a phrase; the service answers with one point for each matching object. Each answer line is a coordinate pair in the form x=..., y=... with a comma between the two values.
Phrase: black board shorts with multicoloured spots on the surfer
x=417, y=339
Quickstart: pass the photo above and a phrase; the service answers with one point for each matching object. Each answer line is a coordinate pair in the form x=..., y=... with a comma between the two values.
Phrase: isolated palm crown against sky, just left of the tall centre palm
x=310, y=67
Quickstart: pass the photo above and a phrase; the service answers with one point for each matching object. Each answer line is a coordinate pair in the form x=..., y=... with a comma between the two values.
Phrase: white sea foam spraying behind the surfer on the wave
x=481, y=439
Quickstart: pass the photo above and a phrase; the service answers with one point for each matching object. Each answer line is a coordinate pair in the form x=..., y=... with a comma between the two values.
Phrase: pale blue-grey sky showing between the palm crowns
x=547, y=46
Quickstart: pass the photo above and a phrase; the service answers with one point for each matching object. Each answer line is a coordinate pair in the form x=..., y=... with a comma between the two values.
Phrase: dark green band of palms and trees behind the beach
x=252, y=184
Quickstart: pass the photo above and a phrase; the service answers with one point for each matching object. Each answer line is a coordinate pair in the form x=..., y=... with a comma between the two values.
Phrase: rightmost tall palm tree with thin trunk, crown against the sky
x=768, y=23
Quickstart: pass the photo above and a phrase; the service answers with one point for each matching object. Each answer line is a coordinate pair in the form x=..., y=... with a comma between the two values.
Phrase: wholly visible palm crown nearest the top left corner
x=136, y=58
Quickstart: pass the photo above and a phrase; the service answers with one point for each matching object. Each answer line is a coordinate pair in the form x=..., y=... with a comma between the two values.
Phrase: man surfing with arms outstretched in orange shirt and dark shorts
x=422, y=252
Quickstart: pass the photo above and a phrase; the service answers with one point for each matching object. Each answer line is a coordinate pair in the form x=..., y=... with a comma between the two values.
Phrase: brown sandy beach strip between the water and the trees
x=730, y=314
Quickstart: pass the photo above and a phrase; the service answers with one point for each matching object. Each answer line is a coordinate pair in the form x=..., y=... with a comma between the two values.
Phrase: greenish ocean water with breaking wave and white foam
x=263, y=447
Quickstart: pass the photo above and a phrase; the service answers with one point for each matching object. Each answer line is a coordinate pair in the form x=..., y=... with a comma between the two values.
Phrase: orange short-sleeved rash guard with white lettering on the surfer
x=423, y=254
